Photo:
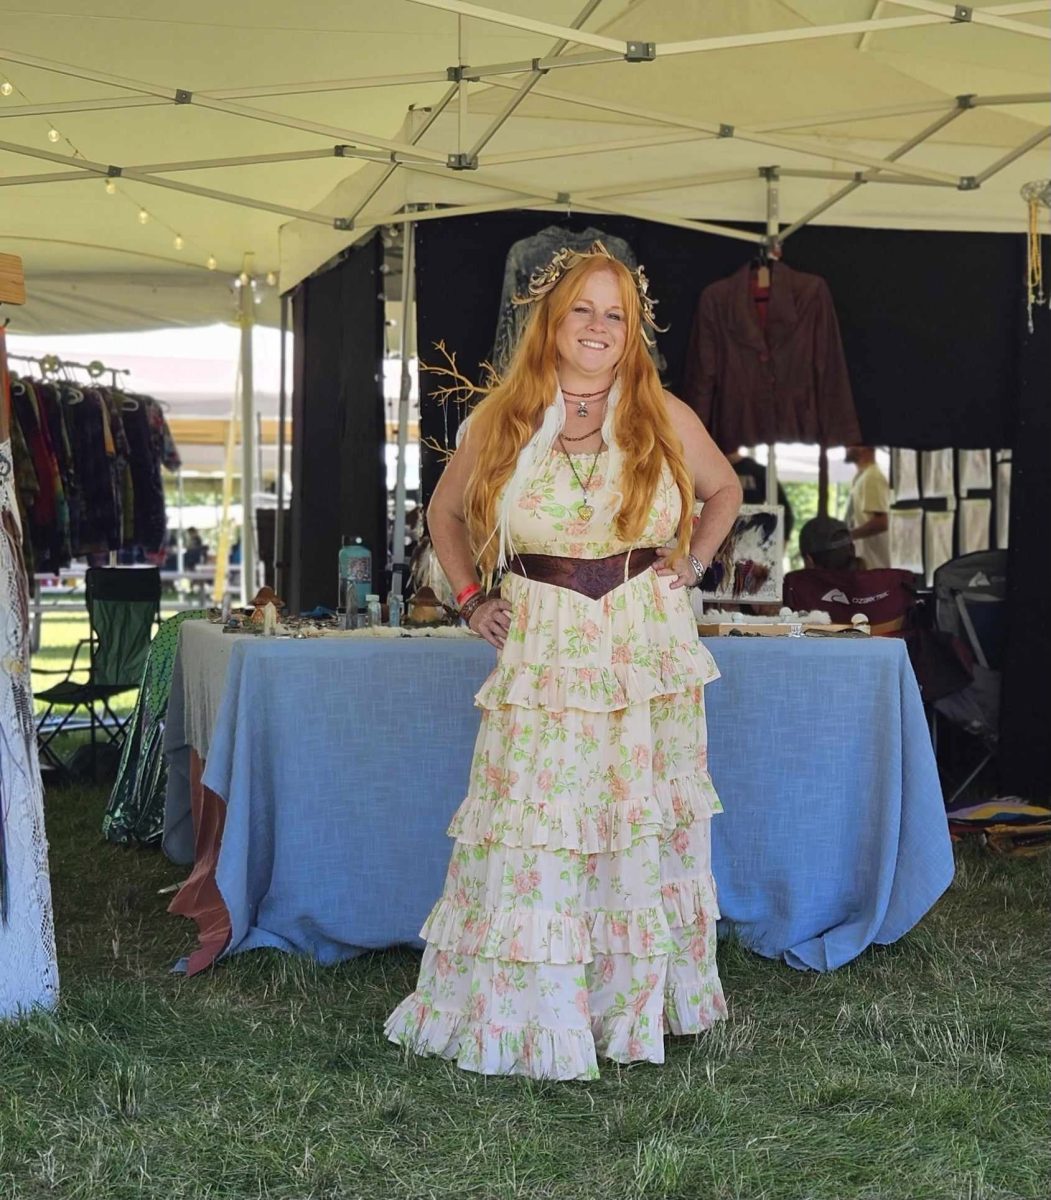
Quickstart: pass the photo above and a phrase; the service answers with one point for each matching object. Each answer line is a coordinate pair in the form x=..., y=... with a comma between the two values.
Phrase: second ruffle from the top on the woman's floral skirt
x=563, y=824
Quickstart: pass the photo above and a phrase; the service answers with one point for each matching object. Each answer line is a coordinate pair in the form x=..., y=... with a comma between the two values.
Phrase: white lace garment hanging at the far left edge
x=29, y=975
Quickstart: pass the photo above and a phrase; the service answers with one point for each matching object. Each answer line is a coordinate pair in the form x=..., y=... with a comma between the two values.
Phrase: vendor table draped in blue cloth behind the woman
x=335, y=765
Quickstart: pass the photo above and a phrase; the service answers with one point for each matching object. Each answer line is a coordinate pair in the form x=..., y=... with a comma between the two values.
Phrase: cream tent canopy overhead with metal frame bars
x=253, y=136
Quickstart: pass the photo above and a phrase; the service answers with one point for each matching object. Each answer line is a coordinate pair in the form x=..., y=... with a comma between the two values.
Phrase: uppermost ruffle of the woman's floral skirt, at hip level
x=592, y=689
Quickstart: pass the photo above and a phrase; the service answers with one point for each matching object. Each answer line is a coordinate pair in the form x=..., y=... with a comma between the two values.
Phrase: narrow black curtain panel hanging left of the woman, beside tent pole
x=339, y=470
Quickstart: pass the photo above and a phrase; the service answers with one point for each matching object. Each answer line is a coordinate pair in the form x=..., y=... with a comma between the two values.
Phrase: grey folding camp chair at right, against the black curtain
x=971, y=605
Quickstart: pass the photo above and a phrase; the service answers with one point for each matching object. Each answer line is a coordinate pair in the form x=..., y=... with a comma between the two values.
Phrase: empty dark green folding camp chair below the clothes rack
x=124, y=604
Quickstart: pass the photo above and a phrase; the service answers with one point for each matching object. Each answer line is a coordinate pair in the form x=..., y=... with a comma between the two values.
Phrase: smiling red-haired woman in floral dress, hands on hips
x=579, y=914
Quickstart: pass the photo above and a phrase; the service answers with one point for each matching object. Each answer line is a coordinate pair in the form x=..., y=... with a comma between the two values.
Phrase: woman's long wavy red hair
x=511, y=413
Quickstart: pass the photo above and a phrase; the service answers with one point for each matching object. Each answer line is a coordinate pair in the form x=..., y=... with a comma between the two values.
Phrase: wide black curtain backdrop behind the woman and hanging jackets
x=932, y=331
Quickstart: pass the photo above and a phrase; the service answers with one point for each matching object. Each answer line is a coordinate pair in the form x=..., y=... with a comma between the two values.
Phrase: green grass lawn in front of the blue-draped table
x=920, y=1071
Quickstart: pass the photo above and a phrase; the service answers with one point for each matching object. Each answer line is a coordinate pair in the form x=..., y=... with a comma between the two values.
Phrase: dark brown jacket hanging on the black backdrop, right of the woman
x=789, y=386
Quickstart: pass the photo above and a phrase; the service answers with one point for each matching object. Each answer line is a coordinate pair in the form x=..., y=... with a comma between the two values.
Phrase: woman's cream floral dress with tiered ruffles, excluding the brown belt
x=579, y=913
